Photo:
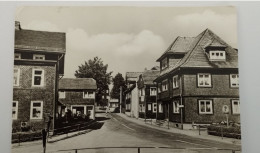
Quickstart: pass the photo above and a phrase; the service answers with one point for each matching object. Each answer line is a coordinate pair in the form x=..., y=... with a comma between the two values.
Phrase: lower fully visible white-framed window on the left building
x=36, y=110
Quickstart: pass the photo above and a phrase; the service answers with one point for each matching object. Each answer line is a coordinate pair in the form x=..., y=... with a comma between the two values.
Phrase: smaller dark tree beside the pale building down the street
x=118, y=81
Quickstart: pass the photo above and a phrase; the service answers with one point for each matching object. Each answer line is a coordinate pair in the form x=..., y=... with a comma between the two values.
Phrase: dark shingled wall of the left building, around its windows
x=25, y=93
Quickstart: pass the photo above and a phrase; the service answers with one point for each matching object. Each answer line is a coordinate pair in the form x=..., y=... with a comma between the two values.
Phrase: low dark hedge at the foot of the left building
x=26, y=136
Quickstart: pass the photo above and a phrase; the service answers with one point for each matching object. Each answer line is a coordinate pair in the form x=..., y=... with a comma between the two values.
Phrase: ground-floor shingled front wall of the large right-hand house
x=191, y=110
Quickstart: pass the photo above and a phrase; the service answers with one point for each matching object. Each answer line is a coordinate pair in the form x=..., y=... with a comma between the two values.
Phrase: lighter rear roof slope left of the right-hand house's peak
x=180, y=45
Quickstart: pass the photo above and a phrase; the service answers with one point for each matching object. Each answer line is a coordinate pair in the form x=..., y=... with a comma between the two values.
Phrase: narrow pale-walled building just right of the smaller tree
x=131, y=101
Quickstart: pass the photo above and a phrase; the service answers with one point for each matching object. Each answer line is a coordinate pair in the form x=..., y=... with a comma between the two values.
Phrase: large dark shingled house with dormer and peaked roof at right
x=198, y=78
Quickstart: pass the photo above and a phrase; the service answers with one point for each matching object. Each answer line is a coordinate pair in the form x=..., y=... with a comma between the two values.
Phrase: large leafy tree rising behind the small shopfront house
x=98, y=71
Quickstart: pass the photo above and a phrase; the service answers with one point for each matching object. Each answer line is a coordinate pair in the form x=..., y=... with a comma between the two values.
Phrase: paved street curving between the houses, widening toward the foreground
x=118, y=132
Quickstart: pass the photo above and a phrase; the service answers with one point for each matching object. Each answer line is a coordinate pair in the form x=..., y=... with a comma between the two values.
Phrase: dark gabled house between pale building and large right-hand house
x=147, y=93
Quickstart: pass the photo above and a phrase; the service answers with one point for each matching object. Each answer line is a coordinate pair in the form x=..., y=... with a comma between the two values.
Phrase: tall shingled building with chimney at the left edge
x=38, y=64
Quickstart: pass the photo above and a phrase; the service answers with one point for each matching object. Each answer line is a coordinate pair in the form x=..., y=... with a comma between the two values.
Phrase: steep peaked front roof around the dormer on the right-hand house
x=196, y=57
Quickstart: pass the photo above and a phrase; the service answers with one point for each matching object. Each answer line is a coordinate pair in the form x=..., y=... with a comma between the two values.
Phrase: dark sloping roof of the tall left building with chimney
x=40, y=40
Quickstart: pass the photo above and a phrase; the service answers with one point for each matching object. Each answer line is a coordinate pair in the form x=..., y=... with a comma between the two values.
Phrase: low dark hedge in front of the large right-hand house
x=230, y=132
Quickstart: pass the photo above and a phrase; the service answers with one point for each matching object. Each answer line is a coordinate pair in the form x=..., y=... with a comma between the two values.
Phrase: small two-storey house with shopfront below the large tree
x=78, y=96
